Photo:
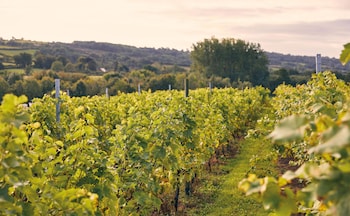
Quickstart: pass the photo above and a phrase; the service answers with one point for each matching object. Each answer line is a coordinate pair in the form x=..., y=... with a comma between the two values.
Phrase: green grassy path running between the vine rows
x=219, y=193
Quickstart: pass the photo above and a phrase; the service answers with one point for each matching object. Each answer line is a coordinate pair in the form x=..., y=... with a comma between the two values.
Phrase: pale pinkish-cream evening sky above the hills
x=296, y=27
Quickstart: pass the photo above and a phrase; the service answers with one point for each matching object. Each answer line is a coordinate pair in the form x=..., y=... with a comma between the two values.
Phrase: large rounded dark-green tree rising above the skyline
x=230, y=58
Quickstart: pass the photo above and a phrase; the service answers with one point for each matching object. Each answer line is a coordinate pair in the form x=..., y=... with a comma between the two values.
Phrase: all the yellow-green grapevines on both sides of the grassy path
x=133, y=154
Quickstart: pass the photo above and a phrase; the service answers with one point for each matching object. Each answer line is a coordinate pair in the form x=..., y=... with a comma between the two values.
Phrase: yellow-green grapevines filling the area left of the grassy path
x=126, y=155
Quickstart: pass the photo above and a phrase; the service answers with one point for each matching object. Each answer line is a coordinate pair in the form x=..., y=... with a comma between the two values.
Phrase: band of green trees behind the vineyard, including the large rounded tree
x=225, y=63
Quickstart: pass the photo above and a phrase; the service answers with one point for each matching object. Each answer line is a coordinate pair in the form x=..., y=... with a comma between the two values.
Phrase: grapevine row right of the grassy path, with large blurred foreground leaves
x=314, y=132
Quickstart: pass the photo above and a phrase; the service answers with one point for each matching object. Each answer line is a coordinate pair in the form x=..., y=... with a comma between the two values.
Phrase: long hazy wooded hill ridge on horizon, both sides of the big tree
x=107, y=55
